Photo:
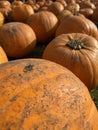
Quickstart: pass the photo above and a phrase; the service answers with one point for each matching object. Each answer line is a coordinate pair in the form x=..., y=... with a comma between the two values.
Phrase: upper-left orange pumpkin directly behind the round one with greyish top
x=21, y=13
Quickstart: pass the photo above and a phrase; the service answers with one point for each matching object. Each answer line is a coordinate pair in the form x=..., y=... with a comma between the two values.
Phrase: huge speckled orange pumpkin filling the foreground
x=39, y=94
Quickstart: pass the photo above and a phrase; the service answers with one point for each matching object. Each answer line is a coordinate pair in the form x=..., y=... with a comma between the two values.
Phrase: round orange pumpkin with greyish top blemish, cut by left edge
x=17, y=39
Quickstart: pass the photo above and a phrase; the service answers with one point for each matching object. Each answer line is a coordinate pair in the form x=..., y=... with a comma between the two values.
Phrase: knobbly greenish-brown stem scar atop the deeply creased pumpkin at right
x=75, y=44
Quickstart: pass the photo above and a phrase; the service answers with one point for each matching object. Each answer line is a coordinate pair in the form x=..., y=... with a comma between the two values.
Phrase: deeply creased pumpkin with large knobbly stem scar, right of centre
x=82, y=60
